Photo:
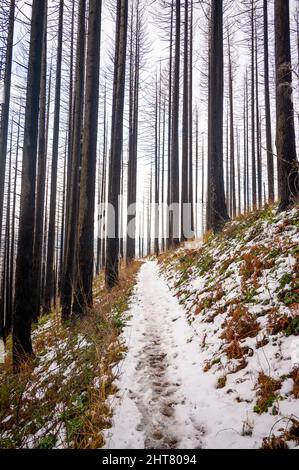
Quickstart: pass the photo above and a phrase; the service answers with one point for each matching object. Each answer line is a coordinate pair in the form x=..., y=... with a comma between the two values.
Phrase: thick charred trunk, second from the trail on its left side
x=83, y=294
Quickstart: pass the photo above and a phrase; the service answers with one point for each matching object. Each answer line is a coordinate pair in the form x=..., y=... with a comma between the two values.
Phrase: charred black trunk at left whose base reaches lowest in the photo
x=22, y=346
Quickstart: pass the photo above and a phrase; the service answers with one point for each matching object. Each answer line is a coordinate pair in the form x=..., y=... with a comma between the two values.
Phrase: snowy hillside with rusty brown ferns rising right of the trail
x=240, y=290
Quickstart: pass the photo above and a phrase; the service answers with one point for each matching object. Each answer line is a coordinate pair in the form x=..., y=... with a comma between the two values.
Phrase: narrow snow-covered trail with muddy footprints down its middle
x=158, y=403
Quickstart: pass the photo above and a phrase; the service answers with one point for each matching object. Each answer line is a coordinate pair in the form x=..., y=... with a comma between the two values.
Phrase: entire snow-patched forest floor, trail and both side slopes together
x=196, y=349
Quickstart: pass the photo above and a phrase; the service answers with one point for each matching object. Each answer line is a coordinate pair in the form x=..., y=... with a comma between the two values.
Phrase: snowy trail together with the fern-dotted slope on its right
x=213, y=357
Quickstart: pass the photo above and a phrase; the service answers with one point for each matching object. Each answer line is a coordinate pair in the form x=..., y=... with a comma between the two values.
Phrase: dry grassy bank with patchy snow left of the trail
x=44, y=398
